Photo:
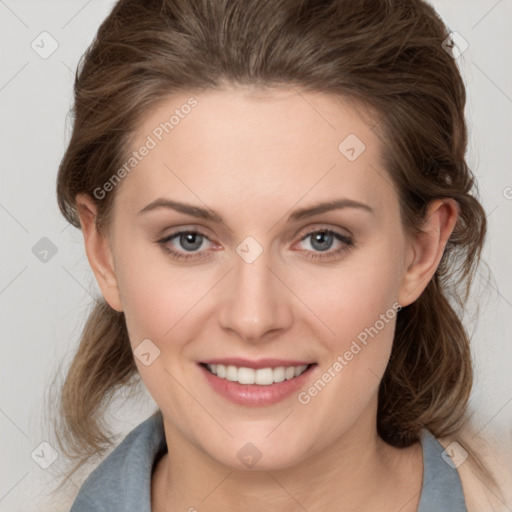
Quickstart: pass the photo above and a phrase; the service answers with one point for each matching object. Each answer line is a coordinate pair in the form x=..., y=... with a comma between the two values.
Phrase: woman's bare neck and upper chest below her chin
x=359, y=472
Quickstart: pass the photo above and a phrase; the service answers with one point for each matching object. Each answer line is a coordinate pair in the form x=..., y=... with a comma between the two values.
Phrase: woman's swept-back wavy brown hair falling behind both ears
x=384, y=54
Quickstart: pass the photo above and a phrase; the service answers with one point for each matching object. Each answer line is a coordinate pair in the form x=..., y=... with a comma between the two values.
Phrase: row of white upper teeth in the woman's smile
x=261, y=376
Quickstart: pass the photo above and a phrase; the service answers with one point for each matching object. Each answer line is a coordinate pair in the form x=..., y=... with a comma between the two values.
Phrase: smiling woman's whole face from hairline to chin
x=268, y=278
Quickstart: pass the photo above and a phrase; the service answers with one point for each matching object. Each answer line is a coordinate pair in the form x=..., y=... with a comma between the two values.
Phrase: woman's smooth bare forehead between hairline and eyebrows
x=256, y=149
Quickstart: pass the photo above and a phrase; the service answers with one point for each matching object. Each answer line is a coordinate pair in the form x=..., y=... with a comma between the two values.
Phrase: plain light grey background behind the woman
x=43, y=304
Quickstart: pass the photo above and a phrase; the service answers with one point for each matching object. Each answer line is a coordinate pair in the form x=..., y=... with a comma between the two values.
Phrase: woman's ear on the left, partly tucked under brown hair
x=98, y=252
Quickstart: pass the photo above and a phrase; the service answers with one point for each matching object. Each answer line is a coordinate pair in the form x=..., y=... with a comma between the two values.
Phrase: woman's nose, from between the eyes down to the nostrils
x=255, y=305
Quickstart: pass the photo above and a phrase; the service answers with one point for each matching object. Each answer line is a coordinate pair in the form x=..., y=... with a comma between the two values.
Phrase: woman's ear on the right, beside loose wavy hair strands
x=426, y=248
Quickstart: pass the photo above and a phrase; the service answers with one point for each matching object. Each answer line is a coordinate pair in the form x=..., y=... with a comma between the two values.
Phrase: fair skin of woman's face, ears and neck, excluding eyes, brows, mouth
x=253, y=157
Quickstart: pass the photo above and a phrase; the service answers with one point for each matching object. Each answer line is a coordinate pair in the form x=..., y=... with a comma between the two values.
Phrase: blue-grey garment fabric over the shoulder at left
x=122, y=482
